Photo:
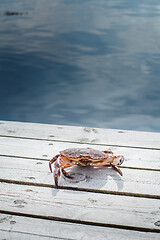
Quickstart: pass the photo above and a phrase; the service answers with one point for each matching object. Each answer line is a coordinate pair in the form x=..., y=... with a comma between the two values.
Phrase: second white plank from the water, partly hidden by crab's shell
x=39, y=149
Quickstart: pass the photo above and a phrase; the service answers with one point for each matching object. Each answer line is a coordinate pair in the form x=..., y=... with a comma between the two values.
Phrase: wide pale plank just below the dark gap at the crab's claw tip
x=109, y=210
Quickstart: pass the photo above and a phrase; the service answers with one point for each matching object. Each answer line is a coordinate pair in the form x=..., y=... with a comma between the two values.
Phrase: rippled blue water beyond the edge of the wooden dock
x=81, y=62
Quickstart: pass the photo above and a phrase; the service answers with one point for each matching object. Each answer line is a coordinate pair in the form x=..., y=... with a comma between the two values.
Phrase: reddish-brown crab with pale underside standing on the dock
x=83, y=157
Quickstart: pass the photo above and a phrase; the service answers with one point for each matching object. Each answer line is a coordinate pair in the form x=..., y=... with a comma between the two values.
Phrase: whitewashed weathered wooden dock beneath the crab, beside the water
x=97, y=204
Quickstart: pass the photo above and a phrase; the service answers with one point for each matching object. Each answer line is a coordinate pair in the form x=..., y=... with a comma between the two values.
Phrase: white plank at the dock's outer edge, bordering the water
x=81, y=134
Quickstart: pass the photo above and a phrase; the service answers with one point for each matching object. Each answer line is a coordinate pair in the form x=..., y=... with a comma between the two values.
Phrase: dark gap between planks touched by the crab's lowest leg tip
x=79, y=189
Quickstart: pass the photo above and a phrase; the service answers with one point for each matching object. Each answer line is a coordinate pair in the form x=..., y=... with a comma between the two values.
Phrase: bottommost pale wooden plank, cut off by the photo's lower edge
x=18, y=227
